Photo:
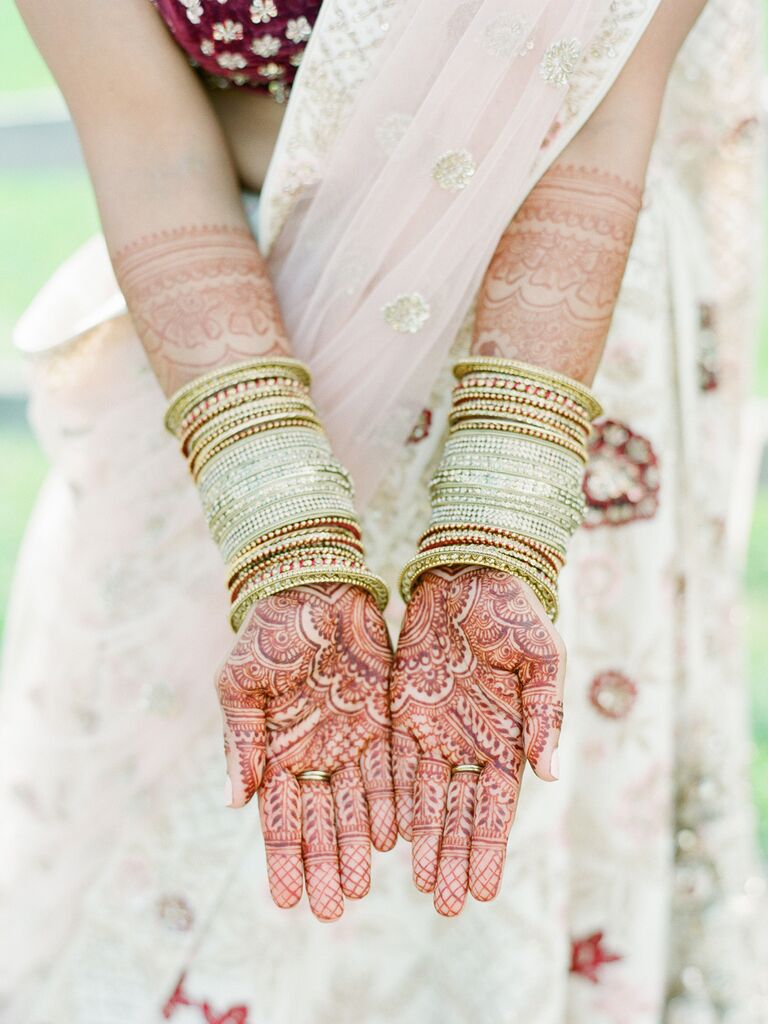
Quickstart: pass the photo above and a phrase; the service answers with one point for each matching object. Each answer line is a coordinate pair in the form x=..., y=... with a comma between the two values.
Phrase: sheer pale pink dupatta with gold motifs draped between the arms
x=394, y=215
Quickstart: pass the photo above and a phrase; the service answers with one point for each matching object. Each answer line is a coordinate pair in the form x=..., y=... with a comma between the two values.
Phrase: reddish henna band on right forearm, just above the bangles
x=549, y=293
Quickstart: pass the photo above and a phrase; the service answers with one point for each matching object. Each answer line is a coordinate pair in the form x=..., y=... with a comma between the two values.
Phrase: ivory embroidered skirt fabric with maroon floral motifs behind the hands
x=633, y=894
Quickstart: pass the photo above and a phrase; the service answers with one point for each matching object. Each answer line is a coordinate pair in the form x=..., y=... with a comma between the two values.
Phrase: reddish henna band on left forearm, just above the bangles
x=200, y=297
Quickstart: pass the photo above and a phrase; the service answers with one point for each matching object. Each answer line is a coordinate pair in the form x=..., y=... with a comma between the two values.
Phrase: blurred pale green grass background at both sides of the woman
x=46, y=215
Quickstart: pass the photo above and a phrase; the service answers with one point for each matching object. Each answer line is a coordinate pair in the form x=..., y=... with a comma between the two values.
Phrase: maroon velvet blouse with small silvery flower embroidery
x=252, y=44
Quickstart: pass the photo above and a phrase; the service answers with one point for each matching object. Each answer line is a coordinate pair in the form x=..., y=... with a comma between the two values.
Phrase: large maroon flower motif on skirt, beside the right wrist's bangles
x=622, y=480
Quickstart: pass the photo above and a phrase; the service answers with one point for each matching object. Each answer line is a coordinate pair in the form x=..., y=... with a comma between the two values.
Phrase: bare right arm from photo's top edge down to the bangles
x=550, y=291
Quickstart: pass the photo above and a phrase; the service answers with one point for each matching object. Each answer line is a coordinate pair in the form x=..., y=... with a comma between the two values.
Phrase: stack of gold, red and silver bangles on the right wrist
x=507, y=494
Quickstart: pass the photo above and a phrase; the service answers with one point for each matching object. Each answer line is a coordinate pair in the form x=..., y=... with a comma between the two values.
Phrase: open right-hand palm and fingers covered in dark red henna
x=478, y=680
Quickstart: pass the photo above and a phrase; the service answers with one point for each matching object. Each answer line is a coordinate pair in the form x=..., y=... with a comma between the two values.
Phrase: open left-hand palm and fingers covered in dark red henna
x=306, y=690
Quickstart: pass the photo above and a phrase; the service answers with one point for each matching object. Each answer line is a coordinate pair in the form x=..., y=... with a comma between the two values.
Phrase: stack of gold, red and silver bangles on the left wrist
x=279, y=505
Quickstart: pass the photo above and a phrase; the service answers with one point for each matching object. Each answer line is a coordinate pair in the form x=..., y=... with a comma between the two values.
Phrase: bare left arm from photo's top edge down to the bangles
x=167, y=192
